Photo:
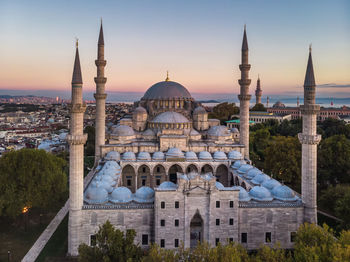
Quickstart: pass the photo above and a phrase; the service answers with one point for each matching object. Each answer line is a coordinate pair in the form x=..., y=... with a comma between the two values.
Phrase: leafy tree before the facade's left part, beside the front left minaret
x=111, y=245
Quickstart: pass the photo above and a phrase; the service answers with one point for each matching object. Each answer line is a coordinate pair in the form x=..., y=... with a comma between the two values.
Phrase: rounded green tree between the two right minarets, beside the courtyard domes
x=283, y=160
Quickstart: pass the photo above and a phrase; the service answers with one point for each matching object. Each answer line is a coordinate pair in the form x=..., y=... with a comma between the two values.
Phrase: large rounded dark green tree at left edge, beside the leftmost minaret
x=30, y=178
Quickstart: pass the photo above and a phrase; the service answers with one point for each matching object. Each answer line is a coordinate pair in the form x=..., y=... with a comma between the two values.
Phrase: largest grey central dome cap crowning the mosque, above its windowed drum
x=167, y=90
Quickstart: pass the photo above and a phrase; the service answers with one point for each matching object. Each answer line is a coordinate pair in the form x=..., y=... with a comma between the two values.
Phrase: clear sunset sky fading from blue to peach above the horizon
x=198, y=41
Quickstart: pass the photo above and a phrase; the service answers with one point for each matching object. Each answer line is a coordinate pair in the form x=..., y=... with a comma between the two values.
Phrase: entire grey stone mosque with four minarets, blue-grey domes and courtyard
x=176, y=176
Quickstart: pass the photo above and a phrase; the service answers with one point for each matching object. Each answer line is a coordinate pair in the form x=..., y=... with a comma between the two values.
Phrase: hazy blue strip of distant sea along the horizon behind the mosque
x=130, y=97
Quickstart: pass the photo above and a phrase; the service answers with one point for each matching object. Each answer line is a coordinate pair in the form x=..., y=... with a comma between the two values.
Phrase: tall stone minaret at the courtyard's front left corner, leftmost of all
x=76, y=140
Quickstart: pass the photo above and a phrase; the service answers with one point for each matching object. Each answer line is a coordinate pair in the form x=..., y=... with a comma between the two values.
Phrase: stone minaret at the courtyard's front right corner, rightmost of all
x=309, y=140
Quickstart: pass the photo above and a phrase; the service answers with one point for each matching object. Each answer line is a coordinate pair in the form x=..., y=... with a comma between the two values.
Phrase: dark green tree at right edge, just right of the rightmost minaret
x=333, y=160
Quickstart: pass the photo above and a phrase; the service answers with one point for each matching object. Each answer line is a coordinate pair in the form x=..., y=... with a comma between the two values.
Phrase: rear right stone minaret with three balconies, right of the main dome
x=244, y=97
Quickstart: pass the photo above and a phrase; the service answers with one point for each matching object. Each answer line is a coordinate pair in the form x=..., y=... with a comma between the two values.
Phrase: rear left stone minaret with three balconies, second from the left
x=100, y=97
